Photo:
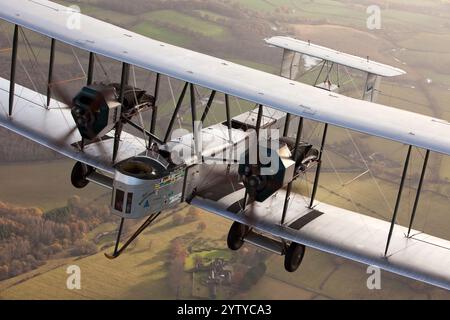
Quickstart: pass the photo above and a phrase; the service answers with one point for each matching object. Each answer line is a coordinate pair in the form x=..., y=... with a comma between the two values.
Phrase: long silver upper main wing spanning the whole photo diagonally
x=236, y=80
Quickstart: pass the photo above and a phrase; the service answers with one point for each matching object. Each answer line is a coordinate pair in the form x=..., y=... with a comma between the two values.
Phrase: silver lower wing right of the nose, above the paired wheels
x=344, y=233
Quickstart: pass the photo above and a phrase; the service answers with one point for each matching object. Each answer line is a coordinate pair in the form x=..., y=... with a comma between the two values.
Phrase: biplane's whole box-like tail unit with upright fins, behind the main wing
x=294, y=48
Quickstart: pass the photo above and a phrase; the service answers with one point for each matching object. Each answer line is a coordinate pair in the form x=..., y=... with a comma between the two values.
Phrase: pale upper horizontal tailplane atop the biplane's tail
x=338, y=57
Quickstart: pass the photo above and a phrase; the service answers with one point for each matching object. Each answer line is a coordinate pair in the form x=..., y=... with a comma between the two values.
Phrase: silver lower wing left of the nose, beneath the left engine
x=55, y=129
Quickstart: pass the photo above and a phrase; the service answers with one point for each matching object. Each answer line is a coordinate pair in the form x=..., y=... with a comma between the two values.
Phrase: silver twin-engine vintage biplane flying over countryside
x=150, y=174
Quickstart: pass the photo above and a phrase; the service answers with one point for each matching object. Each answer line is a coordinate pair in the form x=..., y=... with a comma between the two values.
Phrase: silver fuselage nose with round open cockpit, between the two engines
x=145, y=185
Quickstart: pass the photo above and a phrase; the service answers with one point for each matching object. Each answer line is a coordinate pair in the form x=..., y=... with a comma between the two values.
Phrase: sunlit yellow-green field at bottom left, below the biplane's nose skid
x=139, y=274
